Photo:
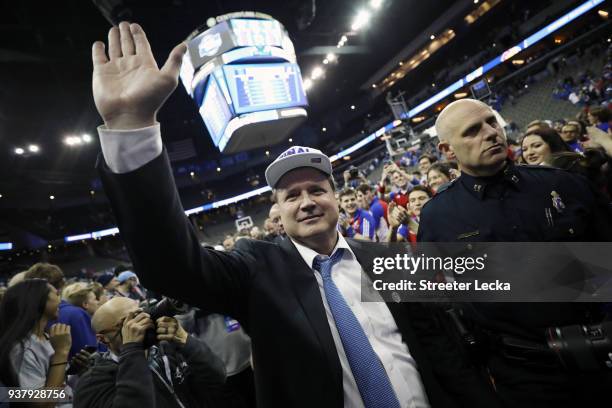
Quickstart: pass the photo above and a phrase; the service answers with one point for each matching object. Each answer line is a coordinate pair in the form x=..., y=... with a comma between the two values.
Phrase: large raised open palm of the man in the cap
x=128, y=87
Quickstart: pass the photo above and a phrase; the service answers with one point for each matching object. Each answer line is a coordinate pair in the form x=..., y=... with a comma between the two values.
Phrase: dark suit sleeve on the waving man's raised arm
x=164, y=247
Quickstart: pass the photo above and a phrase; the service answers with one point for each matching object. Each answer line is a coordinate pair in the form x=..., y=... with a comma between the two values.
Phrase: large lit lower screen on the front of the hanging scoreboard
x=257, y=87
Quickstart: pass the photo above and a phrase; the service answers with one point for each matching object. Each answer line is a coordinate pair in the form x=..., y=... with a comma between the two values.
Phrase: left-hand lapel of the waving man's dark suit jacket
x=306, y=290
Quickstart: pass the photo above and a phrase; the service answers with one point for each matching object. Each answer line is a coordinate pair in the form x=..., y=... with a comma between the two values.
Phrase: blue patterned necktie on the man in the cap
x=370, y=375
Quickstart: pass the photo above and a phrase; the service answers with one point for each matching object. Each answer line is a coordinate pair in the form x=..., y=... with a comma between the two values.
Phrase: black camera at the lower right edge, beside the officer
x=582, y=347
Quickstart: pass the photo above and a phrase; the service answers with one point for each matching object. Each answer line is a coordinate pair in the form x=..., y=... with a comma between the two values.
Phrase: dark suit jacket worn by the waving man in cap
x=274, y=294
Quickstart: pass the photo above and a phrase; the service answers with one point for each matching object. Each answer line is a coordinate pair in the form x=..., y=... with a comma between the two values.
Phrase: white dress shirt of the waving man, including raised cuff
x=128, y=150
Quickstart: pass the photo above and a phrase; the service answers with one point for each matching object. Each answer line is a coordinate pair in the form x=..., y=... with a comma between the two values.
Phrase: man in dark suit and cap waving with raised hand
x=315, y=343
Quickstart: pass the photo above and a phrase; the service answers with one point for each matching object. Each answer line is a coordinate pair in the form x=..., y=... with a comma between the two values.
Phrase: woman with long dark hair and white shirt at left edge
x=29, y=357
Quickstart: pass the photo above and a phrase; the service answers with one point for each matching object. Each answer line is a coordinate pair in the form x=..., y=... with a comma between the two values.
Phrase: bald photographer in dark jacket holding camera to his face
x=177, y=372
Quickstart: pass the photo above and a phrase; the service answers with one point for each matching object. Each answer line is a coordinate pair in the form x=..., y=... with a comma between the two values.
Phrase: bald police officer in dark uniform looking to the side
x=495, y=200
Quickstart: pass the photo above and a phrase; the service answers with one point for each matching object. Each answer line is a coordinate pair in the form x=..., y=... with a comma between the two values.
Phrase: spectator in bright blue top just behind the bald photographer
x=80, y=304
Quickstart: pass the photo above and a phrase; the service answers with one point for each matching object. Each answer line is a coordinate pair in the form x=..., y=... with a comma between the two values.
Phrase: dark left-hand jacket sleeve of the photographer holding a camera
x=133, y=386
